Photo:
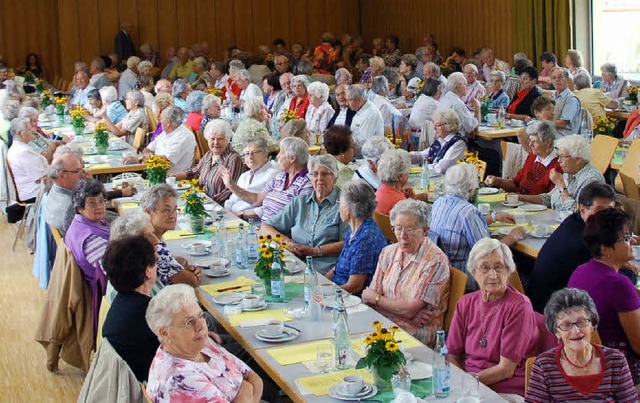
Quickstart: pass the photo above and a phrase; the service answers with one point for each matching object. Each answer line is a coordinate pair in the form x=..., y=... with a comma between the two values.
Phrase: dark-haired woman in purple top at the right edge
x=607, y=235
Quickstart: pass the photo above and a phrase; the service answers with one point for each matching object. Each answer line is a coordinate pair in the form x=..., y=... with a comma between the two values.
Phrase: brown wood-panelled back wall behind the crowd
x=65, y=31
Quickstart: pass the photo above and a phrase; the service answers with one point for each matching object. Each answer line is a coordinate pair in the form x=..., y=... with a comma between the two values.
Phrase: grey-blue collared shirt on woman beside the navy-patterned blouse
x=309, y=223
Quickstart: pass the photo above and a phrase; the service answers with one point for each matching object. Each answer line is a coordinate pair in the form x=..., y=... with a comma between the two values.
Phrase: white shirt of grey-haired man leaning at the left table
x=179, y=147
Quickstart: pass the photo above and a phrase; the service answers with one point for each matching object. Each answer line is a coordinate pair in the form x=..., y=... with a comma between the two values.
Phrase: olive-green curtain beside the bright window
x=541, y=26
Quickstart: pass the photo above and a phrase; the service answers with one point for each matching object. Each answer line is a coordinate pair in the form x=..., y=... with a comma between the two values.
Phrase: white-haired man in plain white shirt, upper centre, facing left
x=367, y=122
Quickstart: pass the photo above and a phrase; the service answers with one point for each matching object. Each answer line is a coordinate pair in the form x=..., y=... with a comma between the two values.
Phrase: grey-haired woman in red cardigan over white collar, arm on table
x=534, y=178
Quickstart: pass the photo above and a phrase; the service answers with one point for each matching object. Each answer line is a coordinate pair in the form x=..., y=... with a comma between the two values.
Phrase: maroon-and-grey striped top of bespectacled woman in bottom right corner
x=549, y=383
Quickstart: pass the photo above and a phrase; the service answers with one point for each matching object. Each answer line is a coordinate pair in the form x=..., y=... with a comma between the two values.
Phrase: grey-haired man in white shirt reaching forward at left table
x=176, y=142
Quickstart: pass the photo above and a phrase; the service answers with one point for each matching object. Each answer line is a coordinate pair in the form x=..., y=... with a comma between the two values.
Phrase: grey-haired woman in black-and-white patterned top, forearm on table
x=161, y=203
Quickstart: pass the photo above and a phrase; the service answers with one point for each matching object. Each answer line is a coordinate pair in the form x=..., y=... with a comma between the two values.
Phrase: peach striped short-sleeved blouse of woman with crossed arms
x=423, y=275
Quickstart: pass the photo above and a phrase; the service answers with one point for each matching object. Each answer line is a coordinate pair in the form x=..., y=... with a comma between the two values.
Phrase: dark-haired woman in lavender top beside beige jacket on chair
x=87, y=238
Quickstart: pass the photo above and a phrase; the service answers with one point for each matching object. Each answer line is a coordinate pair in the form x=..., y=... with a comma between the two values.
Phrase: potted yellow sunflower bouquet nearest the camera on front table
x=383, y=353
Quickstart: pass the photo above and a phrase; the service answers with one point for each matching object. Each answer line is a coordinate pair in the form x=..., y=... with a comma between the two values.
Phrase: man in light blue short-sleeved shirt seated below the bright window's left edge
x=566, y=114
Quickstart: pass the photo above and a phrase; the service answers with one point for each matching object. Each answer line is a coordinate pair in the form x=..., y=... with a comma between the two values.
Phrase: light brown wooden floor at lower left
x=23, y=376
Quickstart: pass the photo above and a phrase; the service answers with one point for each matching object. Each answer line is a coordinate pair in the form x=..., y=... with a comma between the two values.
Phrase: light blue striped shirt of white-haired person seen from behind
x=459, y=225
